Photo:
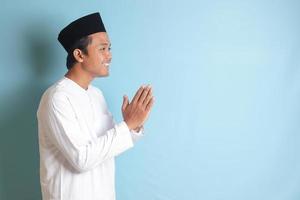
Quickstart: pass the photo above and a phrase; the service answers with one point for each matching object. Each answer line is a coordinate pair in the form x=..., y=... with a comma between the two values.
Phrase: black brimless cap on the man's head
x=79, y=28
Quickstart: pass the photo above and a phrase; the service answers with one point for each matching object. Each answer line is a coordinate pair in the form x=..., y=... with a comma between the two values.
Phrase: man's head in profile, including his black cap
x=87, y=44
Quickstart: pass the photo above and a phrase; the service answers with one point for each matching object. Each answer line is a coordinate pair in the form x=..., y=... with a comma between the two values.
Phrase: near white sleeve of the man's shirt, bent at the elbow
x=82, y=153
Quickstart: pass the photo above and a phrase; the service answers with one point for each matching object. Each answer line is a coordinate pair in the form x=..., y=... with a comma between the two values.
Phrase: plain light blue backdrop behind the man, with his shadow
x=226, y=77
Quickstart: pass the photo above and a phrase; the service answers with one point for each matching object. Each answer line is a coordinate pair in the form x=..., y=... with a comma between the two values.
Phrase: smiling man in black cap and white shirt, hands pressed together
x=78, y=138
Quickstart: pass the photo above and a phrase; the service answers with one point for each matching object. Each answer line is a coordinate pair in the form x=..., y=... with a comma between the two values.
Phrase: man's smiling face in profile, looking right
x=97, y=61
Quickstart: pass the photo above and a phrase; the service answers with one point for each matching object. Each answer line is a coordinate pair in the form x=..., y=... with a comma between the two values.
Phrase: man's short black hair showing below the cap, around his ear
x=81, y=44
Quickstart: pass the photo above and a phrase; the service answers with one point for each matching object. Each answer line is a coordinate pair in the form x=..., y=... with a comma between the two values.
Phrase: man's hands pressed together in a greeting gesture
x=136, y=113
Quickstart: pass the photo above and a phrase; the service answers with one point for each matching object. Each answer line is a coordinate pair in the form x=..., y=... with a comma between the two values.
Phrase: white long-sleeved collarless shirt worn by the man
x=78, y=140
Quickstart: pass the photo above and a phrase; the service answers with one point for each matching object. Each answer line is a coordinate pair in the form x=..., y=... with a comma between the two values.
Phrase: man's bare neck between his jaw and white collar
x=80, y=77
